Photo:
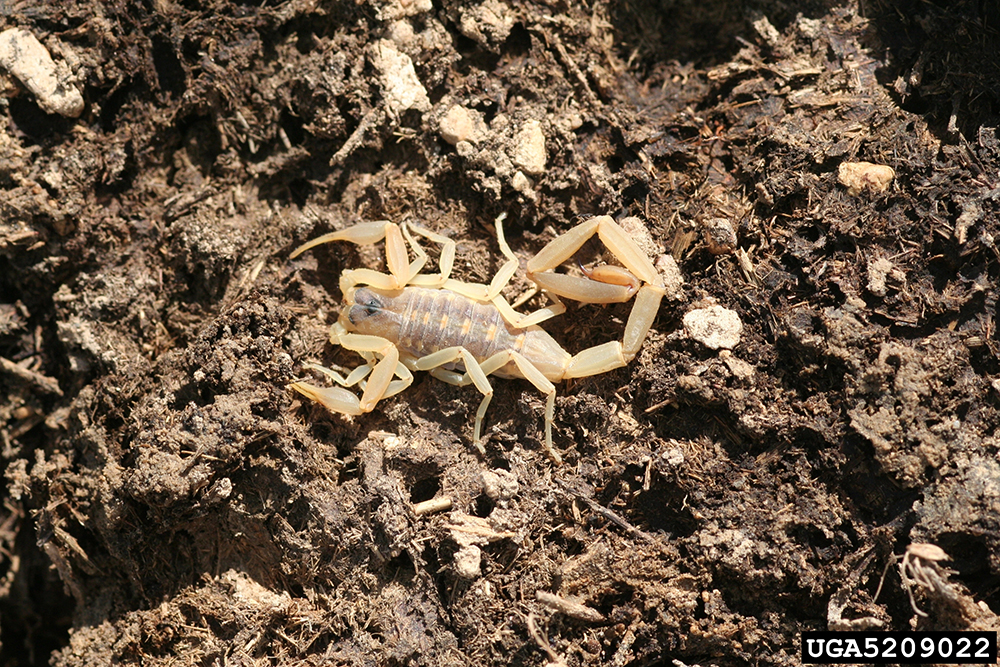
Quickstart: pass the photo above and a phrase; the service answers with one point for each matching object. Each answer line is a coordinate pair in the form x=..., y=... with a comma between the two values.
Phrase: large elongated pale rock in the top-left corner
x=26, y=58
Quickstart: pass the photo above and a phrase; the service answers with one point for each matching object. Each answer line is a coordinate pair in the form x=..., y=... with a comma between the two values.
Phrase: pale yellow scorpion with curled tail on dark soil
x=404, y=321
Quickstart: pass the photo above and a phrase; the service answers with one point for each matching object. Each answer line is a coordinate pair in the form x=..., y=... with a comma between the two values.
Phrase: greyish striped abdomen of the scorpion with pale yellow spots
x=437, y=319
